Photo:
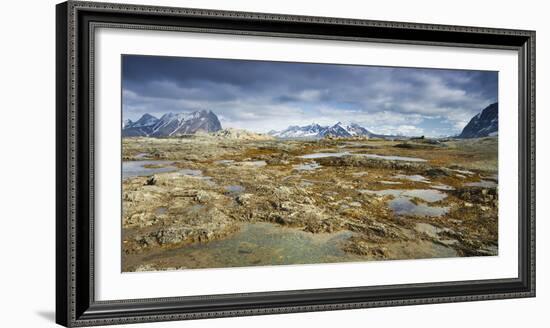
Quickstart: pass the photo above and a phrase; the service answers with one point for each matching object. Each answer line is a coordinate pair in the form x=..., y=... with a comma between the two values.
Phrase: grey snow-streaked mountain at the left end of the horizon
x=173, y=124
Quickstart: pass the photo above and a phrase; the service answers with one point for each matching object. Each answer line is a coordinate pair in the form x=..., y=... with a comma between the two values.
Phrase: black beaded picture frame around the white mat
x=75, y=302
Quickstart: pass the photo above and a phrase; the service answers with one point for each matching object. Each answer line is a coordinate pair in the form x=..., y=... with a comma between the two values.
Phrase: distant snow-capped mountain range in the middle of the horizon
x=317, y=131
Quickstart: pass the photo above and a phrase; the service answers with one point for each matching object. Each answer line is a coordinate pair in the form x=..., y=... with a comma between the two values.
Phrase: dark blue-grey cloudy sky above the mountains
x=262, y=95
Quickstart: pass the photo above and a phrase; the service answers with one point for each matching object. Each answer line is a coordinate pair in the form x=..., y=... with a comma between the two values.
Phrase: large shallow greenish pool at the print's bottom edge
x=259, y=244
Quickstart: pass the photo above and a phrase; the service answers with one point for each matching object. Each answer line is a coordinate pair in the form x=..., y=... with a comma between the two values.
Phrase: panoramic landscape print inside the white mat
x=237, y=163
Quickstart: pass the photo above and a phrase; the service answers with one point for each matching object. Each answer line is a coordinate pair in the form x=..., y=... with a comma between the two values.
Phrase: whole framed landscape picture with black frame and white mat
x=214, y=163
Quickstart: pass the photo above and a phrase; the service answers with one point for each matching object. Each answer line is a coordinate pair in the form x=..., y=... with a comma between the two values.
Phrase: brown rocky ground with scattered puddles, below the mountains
x=435, y=199
